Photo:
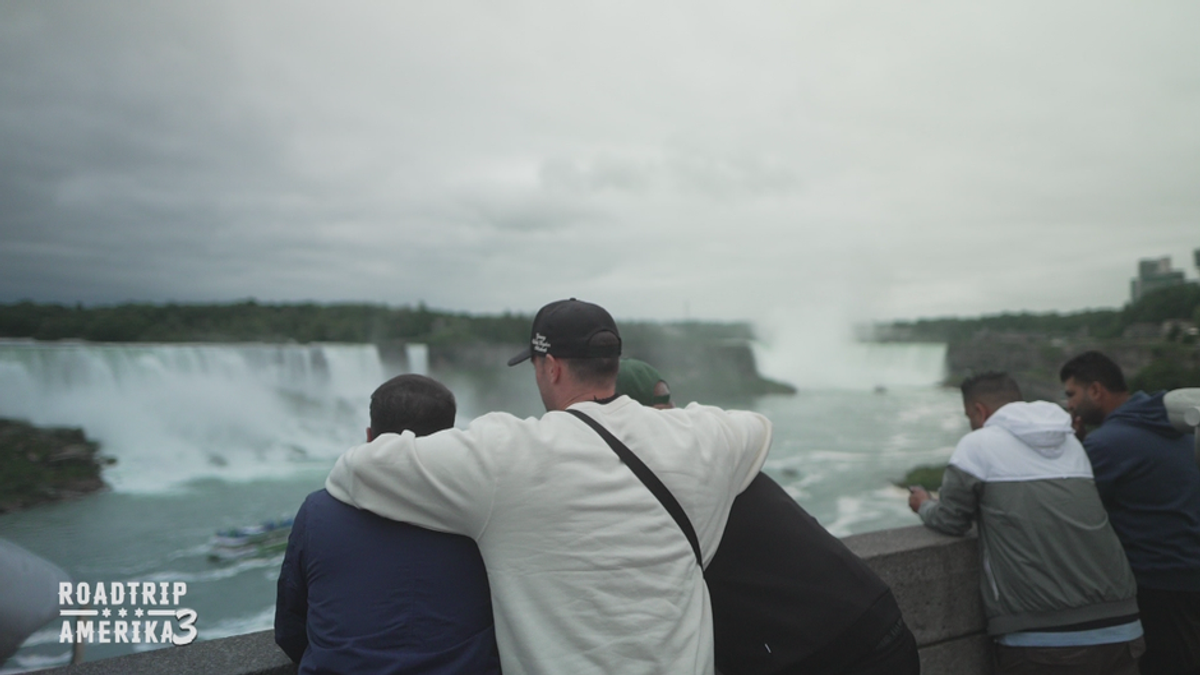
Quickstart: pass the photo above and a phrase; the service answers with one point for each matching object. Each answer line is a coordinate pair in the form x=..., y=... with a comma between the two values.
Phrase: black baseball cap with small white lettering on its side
x=566, y=328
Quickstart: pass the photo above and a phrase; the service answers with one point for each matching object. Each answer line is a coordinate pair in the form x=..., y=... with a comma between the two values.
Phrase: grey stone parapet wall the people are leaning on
x=935, y=580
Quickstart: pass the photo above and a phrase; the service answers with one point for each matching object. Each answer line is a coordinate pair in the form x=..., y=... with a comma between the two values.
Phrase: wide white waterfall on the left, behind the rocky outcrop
x=176, y=414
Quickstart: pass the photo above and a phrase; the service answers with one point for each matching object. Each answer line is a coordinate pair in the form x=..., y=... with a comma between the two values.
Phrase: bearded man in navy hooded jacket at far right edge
x=1150, y=483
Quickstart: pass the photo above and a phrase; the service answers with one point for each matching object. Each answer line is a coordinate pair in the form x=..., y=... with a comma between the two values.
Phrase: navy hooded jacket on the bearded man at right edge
x=1150, y=483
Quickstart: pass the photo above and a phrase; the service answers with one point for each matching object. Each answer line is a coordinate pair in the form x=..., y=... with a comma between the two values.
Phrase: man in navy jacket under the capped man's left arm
x=362, y=594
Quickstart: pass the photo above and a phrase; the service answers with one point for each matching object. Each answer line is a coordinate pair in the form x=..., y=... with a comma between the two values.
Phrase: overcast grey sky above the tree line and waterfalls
x=843, y=160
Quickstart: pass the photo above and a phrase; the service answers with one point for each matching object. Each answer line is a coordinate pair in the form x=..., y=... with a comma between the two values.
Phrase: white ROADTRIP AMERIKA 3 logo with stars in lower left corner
x=125, y=613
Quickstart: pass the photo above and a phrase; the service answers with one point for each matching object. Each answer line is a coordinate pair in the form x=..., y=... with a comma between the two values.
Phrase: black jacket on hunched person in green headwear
x=787, y=592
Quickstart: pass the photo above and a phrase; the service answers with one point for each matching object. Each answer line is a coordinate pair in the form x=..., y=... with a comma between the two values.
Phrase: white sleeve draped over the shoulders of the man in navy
x=445, y=482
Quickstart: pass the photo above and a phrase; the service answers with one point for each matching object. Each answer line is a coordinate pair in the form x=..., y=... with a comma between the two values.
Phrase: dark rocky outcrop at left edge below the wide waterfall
x=44, y=465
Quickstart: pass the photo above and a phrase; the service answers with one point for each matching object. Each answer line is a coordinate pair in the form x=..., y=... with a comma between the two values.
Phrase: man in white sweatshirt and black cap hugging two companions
x=590, y=574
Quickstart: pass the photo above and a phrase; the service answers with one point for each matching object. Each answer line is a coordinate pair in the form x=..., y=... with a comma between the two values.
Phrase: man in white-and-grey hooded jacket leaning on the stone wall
x=1058, y=590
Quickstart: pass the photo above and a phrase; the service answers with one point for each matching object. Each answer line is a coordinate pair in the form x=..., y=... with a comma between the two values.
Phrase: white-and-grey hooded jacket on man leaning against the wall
x=1051, y=558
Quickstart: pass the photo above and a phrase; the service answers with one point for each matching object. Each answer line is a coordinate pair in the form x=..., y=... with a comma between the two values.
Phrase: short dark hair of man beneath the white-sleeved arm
x=412, y=403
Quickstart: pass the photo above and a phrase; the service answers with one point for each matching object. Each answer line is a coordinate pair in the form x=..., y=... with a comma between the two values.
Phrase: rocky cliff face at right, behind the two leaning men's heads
x=1035, y=360
